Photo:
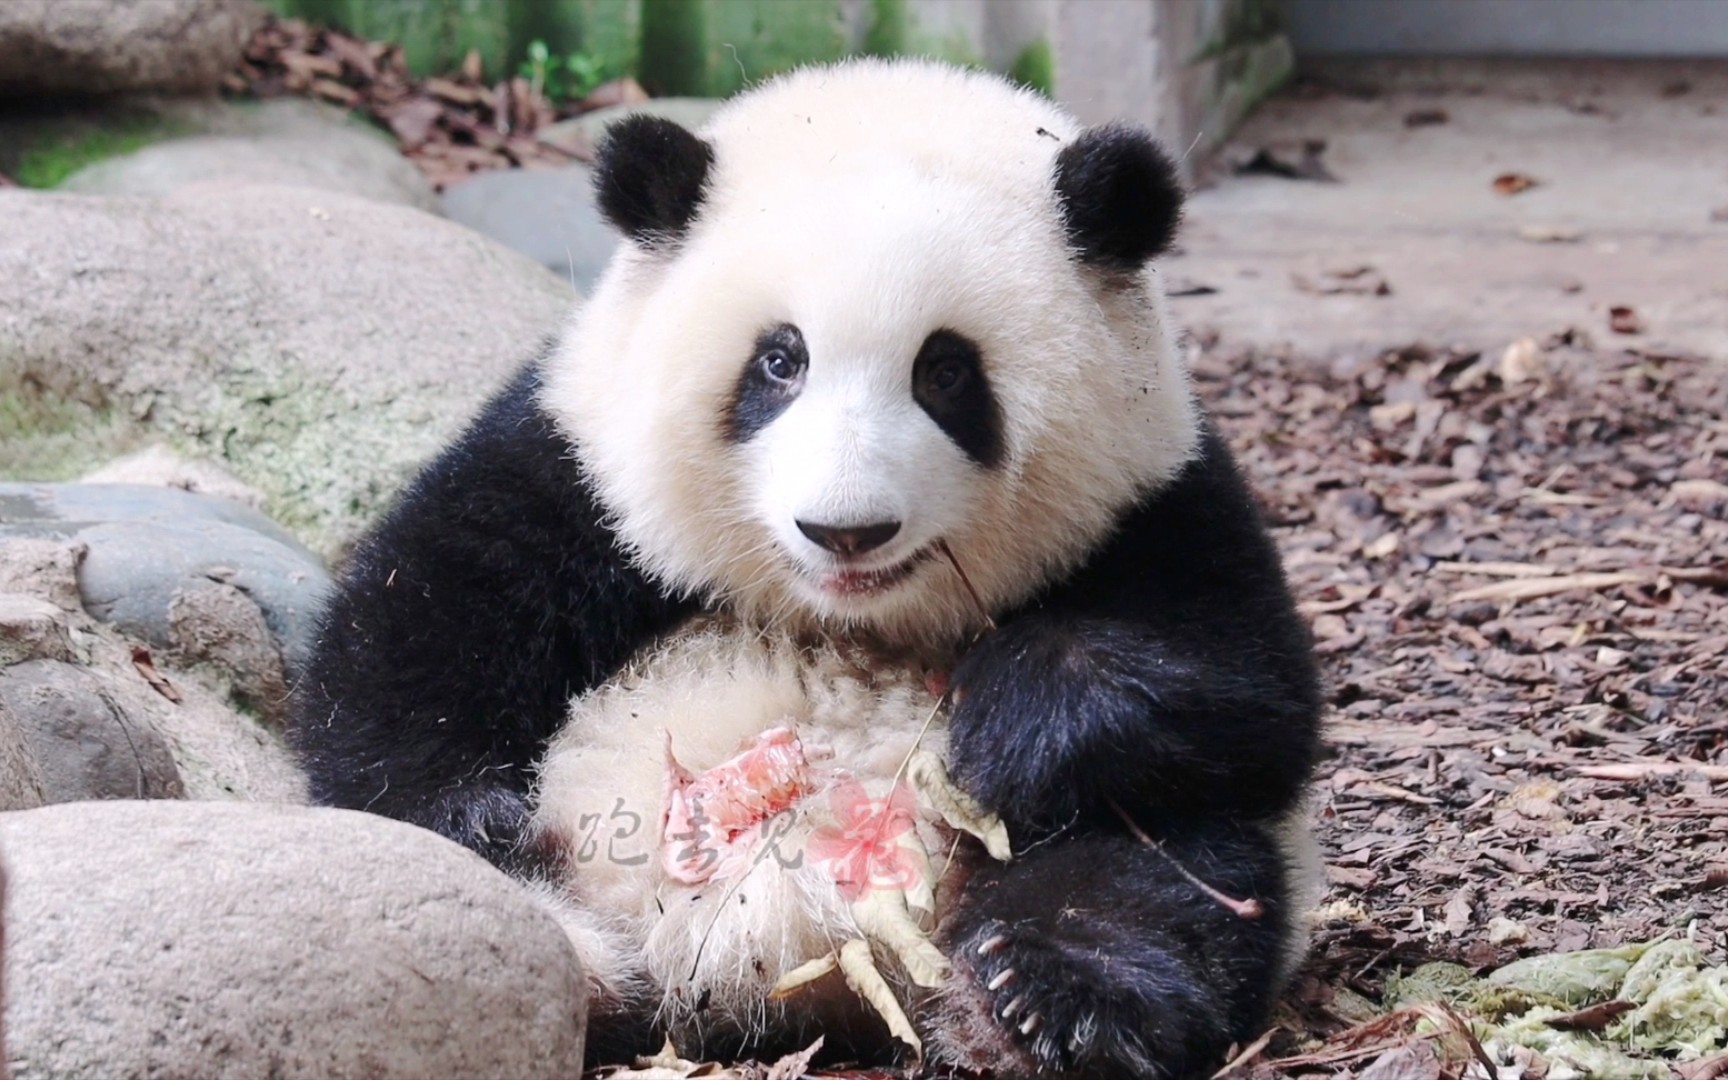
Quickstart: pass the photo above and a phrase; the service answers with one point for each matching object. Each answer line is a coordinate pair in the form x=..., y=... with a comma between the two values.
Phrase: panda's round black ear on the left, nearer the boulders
x=651, y=179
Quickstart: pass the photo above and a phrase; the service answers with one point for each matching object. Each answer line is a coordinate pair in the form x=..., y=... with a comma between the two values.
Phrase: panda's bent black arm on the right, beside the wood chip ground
x=1171, y=675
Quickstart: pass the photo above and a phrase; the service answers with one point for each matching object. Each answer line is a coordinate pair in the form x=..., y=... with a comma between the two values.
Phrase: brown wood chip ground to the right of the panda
x=1516, y=573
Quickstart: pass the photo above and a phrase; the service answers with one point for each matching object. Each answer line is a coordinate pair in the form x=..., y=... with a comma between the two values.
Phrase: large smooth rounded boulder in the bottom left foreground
x=239, y=941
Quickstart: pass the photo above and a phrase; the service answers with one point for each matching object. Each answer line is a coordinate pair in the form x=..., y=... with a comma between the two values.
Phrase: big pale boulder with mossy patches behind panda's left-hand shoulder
x=319, y=346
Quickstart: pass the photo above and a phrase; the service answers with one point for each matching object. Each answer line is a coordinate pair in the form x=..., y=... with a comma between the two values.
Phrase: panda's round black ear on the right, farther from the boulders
x=1121, y=196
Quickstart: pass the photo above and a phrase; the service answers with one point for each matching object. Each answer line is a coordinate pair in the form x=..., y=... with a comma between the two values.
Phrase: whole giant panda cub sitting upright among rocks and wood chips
x=874, y=445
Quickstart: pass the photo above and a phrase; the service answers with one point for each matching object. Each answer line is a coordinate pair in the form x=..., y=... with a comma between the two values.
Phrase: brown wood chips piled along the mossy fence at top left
x=450, y=127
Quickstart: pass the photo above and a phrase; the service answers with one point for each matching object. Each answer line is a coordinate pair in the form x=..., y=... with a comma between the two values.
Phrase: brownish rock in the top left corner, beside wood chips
x=113, y=46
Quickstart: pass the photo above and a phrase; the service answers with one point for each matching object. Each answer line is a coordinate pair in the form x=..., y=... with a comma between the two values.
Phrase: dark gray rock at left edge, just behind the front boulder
x=82, y=742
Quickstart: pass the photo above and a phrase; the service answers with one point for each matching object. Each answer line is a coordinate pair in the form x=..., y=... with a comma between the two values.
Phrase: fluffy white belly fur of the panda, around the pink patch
x=716, y=687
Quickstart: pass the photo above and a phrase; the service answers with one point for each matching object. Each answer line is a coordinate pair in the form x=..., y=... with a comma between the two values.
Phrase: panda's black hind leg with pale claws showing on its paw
x=1096, y=958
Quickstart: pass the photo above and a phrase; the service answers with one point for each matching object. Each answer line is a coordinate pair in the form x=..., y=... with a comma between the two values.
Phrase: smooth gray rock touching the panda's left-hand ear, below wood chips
x=549, y=215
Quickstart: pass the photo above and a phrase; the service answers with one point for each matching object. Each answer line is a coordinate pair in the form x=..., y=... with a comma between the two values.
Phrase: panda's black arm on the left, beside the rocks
x=462, y=628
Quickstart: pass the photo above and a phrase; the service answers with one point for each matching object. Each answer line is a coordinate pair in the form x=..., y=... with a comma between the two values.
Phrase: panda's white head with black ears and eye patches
x=868, y=310
